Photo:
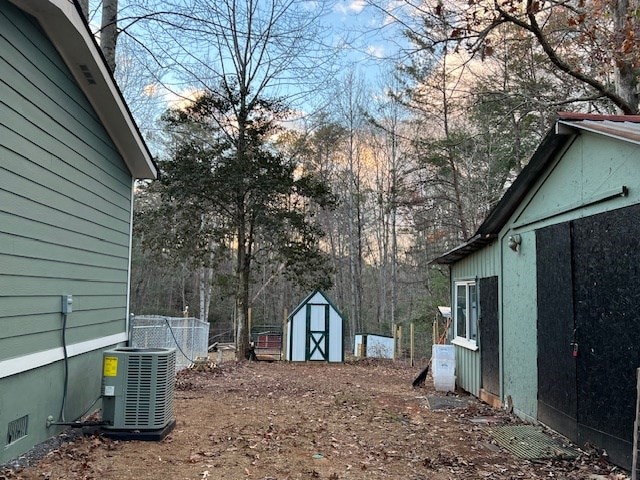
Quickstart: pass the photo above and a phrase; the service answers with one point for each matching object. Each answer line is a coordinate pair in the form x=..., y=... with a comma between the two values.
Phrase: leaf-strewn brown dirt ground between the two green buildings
x=268, y=421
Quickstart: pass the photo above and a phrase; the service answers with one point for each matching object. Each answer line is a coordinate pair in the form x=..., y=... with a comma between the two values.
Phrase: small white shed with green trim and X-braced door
x=315, y=331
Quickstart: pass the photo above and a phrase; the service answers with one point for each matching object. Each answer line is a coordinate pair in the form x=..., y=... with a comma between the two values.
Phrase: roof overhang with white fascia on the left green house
x=63, y=23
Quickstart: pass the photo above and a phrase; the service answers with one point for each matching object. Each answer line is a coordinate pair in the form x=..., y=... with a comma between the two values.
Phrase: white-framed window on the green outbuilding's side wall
x=465, y=320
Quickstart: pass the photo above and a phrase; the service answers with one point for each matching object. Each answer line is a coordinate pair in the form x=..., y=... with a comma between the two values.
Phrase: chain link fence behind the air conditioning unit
x=189, y=336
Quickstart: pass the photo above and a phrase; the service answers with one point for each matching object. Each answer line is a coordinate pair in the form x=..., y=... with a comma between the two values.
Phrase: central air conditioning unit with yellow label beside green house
x=138, y=388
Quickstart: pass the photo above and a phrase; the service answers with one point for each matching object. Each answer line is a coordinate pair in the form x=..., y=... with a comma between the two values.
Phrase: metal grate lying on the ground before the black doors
x=529, y=442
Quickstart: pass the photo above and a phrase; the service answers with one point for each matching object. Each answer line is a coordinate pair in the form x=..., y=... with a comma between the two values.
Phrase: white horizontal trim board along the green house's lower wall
x=24, y=363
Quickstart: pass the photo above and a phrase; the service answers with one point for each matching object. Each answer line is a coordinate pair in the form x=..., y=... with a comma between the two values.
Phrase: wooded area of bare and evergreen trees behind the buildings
x=284, y=171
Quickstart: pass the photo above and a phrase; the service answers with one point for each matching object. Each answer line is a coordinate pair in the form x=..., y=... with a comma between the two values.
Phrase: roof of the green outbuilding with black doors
x=566, y=128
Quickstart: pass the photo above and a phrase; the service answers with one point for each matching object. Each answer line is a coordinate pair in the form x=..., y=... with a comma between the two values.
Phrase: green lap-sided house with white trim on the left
x=70, y=153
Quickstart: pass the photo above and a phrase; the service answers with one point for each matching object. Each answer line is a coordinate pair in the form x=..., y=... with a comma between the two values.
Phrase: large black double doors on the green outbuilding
x=587, y=272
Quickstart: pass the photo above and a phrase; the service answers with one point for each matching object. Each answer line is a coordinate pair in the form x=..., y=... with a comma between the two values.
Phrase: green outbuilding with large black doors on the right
x=545, y=305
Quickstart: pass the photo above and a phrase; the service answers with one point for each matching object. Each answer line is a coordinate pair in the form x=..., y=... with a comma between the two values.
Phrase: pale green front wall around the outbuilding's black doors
x=592, y=167
